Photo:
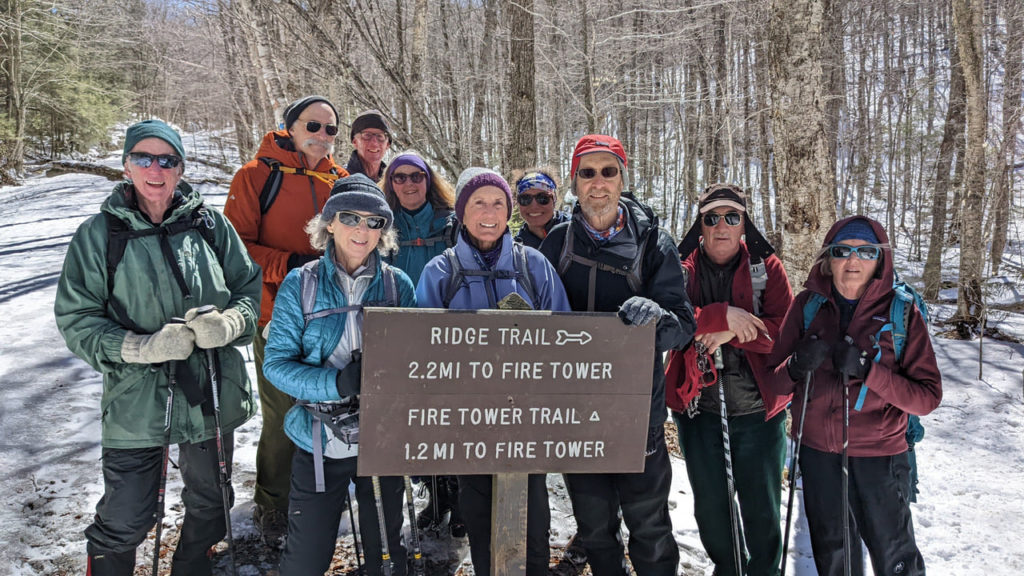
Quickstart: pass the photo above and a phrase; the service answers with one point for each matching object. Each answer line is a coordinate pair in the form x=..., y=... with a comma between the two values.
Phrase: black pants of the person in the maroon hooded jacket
x=880, y=514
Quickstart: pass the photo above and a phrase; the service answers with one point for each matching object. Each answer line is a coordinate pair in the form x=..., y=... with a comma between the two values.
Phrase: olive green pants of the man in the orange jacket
x=274, y=454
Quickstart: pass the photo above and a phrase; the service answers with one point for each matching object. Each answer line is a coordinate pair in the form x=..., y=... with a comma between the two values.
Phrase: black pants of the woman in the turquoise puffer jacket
x=314, y=518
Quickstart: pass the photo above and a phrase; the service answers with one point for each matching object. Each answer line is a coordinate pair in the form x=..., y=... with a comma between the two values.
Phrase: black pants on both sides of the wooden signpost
x=476, y=493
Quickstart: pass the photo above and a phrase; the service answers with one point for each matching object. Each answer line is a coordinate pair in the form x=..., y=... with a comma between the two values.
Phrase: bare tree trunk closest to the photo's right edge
x=1012, y=112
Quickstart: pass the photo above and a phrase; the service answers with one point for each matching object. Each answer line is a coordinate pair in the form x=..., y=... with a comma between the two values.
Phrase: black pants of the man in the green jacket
x=126, y=512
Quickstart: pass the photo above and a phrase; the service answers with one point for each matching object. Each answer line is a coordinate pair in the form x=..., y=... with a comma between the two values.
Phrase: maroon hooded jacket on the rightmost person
x=894, y=392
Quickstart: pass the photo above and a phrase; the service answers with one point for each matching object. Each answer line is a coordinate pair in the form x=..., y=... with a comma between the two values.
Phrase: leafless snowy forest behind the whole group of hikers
x=909, y=111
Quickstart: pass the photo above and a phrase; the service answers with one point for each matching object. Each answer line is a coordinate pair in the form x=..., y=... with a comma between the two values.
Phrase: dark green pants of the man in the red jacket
x=758, y=455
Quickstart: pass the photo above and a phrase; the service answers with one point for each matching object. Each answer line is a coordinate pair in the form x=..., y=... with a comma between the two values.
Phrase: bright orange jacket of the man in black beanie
x=273, y=237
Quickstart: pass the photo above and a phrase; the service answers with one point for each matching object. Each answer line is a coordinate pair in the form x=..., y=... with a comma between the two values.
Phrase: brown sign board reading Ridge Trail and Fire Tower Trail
x=502, y=392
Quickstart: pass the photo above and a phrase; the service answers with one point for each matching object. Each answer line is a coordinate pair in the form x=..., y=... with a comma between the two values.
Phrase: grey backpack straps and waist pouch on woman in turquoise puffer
x=342, y=418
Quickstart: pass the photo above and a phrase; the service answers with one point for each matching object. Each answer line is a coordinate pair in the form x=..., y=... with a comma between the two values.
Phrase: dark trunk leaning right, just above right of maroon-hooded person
x=954, y=126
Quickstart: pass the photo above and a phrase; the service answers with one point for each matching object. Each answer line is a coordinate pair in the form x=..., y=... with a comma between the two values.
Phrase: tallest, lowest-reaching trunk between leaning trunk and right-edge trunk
x=968, y=26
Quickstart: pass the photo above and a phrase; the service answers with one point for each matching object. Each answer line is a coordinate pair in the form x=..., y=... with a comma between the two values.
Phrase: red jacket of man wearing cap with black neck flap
x=712, y=318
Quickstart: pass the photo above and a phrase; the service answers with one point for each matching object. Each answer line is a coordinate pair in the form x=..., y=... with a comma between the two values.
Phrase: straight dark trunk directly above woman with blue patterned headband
x=521, y=144
